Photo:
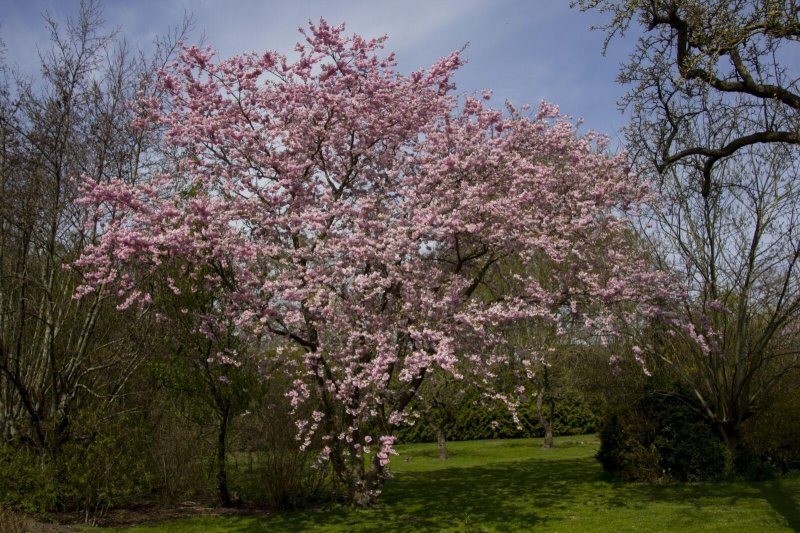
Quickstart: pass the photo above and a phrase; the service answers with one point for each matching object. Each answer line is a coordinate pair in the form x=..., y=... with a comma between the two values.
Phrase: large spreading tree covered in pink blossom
x=351, y=213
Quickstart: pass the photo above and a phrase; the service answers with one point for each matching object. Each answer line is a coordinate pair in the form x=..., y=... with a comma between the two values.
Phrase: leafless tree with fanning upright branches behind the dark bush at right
x=738, y=250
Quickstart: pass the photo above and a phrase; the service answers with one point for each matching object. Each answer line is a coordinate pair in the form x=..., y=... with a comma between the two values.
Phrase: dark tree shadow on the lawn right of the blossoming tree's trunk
x=461, y=498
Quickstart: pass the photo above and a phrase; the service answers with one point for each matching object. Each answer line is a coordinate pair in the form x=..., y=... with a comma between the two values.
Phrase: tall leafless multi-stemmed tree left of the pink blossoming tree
x=72, y=121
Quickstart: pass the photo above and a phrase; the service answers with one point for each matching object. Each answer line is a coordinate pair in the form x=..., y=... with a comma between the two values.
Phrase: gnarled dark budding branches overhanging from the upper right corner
x=710, y=78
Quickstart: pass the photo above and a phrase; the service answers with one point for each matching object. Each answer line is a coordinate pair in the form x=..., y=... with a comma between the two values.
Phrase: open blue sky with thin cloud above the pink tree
x=525, y=51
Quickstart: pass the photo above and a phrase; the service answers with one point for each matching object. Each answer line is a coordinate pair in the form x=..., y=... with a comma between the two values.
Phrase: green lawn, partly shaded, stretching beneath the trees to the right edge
x=514, y=485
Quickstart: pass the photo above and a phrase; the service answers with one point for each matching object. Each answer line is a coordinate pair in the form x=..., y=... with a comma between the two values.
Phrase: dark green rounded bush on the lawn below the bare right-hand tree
x=661, y=437
